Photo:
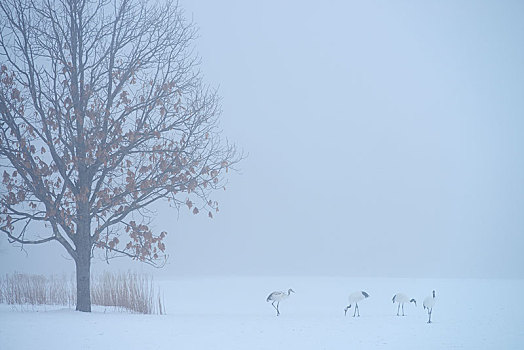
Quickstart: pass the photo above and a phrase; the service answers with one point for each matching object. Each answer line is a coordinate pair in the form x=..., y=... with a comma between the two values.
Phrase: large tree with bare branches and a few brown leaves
x=103, y=112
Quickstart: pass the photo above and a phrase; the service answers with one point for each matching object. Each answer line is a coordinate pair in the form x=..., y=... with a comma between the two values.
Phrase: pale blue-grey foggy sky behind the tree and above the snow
x=383, y=139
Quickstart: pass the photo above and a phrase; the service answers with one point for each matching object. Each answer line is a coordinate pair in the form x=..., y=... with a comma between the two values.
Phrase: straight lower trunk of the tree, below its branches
x=83, y=280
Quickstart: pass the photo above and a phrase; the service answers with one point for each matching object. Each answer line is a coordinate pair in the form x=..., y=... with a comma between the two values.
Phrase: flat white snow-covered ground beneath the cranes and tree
x=232, y=313
